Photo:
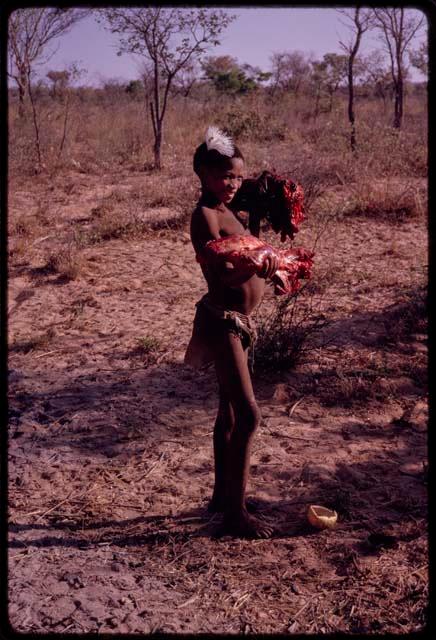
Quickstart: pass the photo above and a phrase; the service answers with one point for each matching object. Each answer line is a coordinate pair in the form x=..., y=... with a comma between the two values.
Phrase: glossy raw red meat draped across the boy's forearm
x=247, y=254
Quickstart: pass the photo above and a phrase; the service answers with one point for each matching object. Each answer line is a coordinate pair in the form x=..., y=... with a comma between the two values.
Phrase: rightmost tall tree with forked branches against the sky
x=397, y=32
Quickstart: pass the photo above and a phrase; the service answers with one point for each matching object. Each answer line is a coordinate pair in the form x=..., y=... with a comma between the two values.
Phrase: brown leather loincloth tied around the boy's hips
x=209, y=320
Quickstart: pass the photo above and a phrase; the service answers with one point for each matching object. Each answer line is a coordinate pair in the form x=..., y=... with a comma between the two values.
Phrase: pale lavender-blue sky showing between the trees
x=251, y=38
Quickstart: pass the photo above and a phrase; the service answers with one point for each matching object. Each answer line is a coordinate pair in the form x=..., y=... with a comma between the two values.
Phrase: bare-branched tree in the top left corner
x=30, y=32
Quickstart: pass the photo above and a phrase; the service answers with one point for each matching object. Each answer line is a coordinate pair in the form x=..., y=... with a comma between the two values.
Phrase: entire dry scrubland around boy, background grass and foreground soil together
x=110, y=446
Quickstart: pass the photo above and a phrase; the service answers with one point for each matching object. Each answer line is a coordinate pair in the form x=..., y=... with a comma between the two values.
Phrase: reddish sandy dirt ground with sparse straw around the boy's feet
x=110, y=436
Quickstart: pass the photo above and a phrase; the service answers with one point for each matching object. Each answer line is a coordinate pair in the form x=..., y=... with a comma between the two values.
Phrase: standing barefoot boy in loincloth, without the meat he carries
x=223, y=330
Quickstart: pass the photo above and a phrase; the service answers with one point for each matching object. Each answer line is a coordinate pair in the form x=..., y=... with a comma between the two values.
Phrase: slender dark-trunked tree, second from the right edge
x=360, y=20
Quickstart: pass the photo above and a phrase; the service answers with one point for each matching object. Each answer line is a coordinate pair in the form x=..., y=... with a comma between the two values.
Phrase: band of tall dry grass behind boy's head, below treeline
x=94, y=144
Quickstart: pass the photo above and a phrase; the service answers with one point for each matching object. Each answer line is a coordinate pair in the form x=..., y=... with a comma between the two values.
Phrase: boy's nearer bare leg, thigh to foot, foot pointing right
x=231, y=363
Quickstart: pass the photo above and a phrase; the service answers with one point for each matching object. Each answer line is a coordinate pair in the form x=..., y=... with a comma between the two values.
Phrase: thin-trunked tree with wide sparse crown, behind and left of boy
x=171, y=39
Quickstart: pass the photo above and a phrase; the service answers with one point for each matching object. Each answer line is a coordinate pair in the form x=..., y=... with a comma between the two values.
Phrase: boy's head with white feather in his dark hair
x=219, y=164
